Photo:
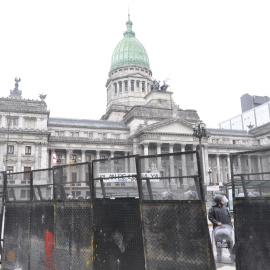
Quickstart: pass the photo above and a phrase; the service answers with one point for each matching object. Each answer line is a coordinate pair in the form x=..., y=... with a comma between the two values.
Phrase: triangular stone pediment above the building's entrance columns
x=171, y=126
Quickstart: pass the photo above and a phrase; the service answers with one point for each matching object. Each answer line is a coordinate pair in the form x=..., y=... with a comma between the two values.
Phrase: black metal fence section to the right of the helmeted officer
x=251, y=194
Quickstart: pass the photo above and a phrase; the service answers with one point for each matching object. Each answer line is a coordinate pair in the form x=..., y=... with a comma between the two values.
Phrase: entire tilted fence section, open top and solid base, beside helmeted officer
x=176, y=231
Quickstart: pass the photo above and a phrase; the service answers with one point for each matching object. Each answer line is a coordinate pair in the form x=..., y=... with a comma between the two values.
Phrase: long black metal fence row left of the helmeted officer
x=121, y=213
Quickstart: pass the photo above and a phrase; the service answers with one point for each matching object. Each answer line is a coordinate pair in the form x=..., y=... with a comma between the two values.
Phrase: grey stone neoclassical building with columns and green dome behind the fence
x=141, y=118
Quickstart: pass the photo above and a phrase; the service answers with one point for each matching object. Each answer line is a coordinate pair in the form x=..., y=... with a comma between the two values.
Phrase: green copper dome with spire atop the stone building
x=129, y=51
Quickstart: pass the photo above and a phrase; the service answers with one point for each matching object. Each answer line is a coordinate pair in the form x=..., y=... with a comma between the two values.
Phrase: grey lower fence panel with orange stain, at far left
x=16, y=236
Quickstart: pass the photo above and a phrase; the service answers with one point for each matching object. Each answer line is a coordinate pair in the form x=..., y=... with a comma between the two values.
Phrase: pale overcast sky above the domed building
x=215, y=51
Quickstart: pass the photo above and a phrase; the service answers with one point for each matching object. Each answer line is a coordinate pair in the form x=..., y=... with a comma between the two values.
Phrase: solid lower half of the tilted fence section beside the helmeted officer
x=176, y=235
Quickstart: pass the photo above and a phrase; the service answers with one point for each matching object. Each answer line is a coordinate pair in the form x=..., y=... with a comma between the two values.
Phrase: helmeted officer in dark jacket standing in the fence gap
x=219, y=215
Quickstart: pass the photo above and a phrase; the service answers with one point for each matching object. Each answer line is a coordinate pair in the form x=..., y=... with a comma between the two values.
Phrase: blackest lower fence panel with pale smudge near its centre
x=118, y=235
